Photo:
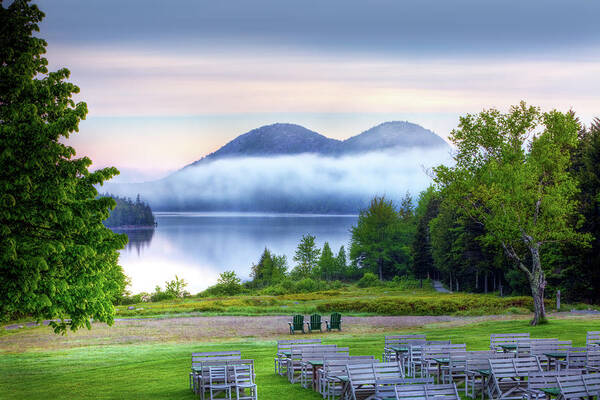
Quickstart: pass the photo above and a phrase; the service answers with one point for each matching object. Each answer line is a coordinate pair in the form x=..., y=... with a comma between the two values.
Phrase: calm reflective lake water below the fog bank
x=199, y=246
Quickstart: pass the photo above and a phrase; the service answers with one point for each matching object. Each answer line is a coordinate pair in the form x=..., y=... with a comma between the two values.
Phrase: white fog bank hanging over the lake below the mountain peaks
x=302, y=183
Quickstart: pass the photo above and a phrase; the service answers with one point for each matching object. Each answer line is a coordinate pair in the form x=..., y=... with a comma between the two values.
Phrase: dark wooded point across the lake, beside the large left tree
x=129, y=213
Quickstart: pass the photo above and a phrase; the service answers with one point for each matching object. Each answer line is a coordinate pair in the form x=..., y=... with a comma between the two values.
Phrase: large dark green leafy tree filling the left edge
x=57, y=260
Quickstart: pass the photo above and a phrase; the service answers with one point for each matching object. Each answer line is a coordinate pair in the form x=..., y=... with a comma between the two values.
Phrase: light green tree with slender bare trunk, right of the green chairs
x=512, y=176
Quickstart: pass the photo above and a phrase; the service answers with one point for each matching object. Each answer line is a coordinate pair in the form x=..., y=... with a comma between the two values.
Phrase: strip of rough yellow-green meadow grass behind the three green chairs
x=349, y=300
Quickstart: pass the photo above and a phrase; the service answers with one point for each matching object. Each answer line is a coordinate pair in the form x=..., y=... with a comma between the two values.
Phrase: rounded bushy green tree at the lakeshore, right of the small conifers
x=382, y=236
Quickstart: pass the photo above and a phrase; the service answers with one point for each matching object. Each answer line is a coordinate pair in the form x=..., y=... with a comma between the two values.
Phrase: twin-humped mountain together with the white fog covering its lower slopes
x=288, y=168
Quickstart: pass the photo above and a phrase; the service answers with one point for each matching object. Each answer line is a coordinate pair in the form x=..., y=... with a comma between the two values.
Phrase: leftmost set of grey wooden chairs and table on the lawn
x=224, y=375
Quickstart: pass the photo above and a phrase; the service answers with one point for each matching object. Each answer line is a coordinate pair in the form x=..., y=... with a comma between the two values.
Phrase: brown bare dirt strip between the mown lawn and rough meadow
x=197, y=329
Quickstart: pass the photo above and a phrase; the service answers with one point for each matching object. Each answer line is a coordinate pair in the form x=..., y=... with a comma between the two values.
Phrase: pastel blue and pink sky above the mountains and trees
x=168, y=82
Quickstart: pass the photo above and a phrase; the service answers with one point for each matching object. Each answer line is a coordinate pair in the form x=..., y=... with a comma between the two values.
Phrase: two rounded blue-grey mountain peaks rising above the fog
x=289, y=139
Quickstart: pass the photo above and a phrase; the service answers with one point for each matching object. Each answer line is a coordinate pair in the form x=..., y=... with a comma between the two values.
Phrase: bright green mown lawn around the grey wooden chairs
x=159, y=370
